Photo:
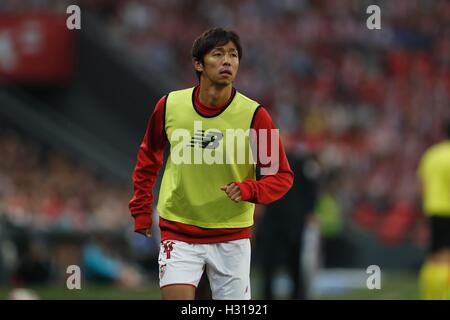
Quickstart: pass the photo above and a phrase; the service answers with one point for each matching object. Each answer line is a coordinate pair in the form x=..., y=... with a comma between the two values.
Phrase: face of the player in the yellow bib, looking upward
x=220, y=65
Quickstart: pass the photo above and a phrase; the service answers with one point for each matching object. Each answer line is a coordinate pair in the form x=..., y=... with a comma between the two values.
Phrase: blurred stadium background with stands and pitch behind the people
x=74, y=106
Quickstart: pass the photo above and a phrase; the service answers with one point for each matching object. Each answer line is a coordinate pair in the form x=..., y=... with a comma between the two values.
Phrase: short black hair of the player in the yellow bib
x=212, y=38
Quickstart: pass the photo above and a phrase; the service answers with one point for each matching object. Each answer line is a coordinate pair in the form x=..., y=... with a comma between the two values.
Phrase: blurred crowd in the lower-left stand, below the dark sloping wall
x=43, y=189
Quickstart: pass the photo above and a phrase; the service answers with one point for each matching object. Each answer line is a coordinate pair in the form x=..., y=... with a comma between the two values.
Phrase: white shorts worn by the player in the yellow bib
x=227, y=266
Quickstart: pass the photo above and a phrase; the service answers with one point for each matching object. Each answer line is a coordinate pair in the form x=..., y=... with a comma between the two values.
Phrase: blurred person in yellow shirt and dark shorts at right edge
x=434, y=175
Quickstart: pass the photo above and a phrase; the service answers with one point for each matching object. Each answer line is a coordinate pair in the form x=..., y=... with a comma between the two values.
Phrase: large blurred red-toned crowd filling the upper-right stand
x=367, y=102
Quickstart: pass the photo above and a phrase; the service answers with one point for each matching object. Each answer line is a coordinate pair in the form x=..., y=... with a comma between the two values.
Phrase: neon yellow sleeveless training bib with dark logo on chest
x=205, y=154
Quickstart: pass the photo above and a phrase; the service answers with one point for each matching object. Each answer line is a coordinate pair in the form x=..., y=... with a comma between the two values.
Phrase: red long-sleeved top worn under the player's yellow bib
x=150, y=159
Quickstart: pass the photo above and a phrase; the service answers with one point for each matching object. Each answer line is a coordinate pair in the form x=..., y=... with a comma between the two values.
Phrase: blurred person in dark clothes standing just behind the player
x=279, y=234
